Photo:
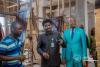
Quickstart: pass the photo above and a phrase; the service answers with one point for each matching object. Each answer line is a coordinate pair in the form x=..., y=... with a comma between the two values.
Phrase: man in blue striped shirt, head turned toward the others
x=10, y=47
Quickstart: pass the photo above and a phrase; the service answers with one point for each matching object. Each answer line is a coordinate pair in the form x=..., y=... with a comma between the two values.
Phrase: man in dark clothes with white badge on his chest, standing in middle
x=49, y=45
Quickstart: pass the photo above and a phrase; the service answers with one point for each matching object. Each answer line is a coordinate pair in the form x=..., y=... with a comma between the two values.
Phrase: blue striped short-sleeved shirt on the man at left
x=10, y=47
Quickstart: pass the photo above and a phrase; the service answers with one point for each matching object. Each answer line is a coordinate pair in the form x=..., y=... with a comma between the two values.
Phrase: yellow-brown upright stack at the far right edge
x=97, y=31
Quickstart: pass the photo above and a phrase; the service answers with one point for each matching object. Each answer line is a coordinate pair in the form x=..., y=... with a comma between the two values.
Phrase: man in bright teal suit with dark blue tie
x=75, y=52
